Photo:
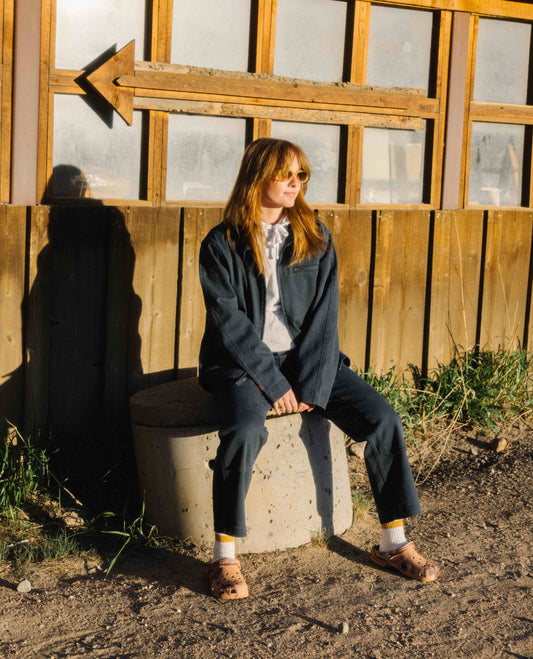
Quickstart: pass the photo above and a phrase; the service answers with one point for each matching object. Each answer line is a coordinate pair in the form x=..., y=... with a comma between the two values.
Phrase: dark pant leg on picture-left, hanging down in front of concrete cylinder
x=242, y=436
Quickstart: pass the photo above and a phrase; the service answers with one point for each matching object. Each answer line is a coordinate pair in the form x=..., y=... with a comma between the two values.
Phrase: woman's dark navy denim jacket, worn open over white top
x=235, y=302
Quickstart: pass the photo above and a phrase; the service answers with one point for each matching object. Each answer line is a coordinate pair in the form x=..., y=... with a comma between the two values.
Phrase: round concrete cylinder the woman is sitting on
x=300, y=484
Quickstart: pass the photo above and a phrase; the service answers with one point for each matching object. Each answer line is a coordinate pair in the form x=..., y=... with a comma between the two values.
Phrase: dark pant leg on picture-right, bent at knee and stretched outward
x=363, y=414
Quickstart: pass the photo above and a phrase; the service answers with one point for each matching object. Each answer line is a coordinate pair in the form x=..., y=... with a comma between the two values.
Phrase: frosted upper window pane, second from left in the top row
x=211, y=33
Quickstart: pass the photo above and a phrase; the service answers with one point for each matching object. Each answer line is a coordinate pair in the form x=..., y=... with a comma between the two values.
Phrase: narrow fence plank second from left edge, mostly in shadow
x=37, y=310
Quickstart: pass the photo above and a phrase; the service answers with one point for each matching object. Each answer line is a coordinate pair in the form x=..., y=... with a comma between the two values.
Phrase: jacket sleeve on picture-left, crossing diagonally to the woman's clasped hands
x=233, y=328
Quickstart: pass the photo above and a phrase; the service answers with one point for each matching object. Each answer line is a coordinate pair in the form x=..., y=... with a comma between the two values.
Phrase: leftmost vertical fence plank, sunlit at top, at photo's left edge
x=12, y=248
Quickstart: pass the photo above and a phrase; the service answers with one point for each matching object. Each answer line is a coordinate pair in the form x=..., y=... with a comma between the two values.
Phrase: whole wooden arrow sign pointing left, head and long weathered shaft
x=126, y=84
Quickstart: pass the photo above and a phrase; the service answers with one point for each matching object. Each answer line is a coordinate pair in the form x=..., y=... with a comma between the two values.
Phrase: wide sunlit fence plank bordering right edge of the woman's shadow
x=154, y=235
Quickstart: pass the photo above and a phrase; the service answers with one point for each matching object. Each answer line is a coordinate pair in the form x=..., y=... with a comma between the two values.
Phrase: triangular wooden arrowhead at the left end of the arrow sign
x=104, y=77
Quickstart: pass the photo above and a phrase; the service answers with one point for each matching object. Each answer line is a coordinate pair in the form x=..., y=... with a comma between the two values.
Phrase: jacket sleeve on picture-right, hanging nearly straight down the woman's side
x=318, y=343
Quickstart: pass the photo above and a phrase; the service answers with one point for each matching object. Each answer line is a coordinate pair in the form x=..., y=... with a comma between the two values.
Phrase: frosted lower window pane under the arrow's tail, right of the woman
x=393, y=166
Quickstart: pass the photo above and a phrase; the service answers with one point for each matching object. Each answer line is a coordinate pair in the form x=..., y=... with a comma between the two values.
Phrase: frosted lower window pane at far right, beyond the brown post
x=496, y=161
